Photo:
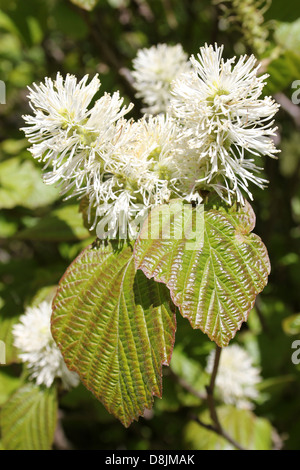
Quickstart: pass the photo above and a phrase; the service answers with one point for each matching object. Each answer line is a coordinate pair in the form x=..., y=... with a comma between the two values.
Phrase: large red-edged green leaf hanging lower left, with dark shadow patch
x=115, y=328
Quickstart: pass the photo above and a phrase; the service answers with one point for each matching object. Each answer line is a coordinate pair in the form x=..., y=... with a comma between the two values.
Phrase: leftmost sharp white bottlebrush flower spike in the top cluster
x=67, y=134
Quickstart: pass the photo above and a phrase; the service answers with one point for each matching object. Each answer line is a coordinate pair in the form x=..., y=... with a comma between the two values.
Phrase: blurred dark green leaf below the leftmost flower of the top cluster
x=62, y=224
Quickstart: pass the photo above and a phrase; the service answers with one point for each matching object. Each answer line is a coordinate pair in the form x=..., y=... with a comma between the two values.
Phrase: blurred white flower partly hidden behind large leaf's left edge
x=37, y=349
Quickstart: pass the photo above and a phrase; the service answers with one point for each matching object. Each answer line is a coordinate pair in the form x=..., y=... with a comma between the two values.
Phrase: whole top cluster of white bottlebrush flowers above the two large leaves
x=204, y=116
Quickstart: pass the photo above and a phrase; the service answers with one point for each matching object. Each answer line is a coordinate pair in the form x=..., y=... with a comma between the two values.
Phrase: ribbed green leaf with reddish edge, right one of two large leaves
x=209, y=259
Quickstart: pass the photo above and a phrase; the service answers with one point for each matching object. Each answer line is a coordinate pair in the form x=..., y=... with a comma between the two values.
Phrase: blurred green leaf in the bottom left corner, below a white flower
x=28, y=418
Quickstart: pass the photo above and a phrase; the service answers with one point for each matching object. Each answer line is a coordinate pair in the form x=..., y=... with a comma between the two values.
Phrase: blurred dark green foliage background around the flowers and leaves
x=40, y=234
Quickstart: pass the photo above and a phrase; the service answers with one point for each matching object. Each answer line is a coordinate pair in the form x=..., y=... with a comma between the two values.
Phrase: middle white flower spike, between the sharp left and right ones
x=141, y=176
